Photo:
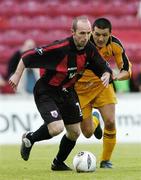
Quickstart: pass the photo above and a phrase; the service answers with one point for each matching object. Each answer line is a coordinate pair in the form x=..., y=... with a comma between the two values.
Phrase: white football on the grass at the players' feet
x=84, y=161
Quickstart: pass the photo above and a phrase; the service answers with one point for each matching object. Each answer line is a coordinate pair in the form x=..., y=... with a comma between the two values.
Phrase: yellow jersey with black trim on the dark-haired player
x=113, y=51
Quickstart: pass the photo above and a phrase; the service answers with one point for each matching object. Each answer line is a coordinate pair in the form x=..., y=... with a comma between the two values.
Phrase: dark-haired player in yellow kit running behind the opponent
x=93, y=94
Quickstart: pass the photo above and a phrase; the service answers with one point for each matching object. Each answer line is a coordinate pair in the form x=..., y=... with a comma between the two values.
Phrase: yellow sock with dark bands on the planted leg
x=109, y=141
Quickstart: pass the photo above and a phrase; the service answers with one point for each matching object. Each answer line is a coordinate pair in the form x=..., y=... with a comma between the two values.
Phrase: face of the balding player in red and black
x=82, y=34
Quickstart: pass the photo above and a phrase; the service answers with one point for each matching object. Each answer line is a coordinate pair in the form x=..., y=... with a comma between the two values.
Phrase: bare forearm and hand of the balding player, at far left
x=15, y=78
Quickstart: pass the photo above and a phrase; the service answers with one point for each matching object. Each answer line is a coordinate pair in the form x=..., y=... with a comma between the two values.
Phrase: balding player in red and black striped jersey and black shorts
x=64, y=62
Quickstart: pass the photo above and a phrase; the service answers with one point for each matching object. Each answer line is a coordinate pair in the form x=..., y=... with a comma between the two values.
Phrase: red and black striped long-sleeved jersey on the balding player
x=64, y=63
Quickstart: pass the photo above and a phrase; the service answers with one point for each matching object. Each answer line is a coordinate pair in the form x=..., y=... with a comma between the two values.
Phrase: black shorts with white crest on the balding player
x=55, y=103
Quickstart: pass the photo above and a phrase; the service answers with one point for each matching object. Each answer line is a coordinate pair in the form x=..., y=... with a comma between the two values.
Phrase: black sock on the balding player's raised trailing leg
x=39, y=135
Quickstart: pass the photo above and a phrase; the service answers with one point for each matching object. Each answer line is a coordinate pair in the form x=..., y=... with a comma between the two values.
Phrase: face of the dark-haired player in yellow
x=101, y=36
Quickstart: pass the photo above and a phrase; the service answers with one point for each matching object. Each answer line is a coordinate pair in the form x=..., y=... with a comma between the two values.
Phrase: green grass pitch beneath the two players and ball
x=126, y=159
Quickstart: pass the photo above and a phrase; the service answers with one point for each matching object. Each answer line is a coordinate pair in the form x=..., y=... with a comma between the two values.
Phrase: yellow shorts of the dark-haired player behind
x=94, y=96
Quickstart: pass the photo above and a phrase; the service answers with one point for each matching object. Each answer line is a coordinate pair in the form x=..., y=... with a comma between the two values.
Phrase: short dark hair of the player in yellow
x=102, y=23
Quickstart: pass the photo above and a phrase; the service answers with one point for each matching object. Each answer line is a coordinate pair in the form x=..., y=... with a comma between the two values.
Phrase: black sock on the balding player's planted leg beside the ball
x=66, y=145
